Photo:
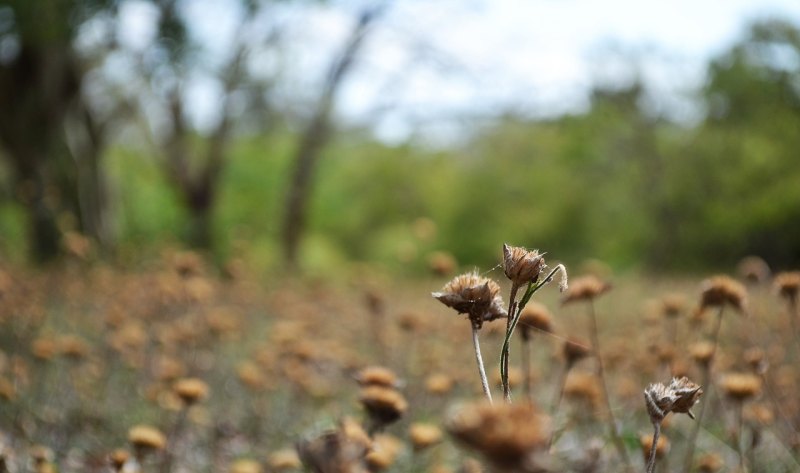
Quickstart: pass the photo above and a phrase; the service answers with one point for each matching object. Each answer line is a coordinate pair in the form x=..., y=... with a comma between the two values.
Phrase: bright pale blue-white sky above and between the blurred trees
x=429, y=64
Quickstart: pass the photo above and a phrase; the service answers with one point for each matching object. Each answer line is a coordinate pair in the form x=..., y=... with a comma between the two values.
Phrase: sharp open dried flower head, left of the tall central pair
x=474, y=295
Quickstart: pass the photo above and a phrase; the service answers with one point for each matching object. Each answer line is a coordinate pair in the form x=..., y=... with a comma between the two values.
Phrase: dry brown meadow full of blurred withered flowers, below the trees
x=234, y=373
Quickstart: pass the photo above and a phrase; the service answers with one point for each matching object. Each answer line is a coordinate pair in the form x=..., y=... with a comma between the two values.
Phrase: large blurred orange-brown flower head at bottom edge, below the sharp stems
x=508, y=435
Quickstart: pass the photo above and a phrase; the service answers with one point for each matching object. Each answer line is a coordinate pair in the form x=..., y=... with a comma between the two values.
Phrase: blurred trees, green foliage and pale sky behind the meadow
x=409, y=135
